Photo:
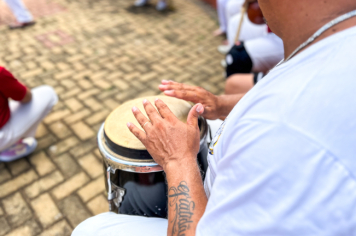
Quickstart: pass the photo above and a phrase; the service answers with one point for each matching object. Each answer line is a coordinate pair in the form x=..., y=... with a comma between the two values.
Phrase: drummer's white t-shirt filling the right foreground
x=285, y=163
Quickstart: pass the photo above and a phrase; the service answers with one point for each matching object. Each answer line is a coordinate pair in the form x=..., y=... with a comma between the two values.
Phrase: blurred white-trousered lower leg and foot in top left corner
x=22, y=15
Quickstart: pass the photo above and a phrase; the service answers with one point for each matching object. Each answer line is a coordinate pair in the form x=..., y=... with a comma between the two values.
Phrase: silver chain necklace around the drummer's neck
x=319, y=32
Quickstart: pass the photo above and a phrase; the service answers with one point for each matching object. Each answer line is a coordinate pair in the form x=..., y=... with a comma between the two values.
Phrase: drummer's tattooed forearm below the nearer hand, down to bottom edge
x=186, y=198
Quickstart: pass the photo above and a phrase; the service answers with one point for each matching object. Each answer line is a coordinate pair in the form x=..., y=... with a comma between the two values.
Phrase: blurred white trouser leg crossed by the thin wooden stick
x=249, y=30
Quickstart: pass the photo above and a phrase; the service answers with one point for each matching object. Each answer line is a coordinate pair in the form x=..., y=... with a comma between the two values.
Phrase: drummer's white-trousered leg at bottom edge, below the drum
x=112, y=224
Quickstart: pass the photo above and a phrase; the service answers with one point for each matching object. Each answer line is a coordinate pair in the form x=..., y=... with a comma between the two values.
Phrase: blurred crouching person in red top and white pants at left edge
x=20, y=117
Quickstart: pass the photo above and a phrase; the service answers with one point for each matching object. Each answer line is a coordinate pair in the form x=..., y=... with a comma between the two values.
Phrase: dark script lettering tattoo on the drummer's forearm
x=179, y=200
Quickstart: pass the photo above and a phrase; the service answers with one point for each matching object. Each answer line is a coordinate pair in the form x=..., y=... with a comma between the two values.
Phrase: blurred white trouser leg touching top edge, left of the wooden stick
x=226, y=9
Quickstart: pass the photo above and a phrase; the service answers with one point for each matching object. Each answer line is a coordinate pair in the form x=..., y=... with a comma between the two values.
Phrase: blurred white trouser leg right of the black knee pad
x=265, y=52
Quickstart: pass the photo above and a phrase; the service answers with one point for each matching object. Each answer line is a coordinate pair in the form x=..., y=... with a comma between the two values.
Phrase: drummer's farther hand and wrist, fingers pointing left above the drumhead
x=194, y=94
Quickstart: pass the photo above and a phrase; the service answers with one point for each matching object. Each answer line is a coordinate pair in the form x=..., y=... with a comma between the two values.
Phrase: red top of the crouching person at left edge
x=9, y=88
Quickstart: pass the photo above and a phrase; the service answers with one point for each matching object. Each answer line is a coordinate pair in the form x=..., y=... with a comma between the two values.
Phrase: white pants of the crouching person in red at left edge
x=25, y=118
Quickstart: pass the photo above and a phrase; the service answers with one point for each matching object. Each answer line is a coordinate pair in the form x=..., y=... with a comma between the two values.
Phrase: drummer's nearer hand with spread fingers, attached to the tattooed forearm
x=166, y=138
